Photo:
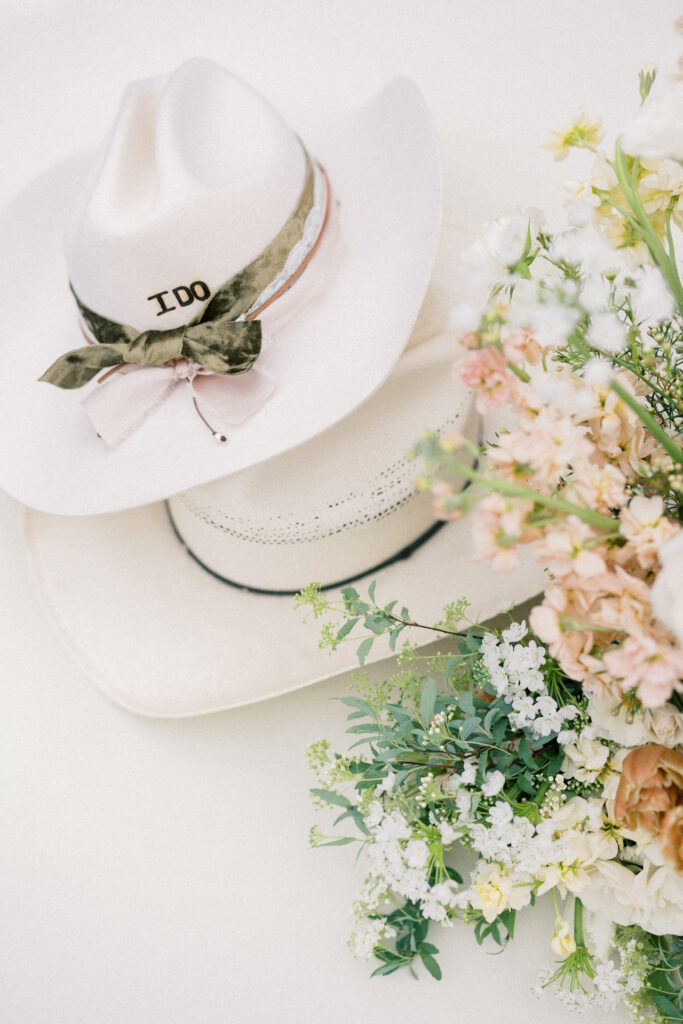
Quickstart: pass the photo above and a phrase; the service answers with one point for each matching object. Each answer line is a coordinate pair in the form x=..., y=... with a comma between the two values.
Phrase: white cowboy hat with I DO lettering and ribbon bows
x=197, y=179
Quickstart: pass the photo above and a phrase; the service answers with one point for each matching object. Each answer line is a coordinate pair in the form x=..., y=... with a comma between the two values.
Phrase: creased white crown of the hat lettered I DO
x=197, y=178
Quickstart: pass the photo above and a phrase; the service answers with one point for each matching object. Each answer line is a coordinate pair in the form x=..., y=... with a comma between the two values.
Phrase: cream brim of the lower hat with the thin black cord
x=162, y=637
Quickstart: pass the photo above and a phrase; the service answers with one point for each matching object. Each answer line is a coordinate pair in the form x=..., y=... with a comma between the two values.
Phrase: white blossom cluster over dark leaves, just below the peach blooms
x=517, y=676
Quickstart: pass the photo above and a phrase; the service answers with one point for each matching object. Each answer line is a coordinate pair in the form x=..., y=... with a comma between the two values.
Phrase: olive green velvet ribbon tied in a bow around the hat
x=217, y=340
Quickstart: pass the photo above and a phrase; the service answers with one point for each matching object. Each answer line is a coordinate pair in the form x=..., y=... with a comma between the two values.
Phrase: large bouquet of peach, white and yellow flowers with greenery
x=546, y=757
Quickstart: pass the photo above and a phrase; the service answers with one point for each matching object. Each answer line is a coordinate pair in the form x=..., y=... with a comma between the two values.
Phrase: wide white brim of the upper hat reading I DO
x=385, y=166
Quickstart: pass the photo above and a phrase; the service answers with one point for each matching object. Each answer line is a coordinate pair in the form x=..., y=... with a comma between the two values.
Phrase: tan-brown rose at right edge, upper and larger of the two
x=652, y=785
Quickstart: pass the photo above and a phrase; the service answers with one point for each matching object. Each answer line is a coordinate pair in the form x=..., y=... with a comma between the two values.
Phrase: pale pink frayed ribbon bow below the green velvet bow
x=119, y=406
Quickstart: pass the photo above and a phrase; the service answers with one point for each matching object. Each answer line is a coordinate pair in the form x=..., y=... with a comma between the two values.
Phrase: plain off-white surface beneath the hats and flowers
x=158, y=873
